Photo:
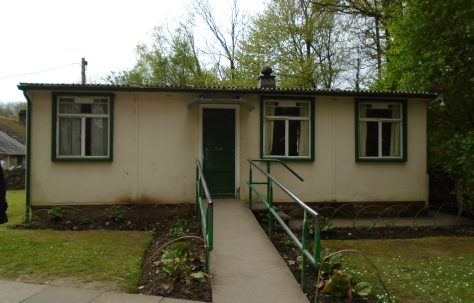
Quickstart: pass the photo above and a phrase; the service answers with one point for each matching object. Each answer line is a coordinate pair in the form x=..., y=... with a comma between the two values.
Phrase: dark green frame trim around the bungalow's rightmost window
x=404, y=157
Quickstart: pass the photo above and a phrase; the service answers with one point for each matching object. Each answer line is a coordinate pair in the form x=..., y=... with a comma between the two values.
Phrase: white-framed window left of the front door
x=82, y=127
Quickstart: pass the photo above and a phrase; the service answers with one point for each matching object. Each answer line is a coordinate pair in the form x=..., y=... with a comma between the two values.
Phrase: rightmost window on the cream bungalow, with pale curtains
x=381, y=130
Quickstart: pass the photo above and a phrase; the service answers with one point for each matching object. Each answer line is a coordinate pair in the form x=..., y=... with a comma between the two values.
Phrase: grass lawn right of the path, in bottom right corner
x=438, y=269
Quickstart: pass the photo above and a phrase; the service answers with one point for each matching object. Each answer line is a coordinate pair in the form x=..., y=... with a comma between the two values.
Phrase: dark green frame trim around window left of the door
x=54, y=157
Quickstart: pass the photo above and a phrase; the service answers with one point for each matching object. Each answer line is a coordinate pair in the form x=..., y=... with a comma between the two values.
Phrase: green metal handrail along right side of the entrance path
x=314, y=257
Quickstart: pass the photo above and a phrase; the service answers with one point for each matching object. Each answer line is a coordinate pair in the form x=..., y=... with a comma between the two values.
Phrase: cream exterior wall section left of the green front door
x=154, y=155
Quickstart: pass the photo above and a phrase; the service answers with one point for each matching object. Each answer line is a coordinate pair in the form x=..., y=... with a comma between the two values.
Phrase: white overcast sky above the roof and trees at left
x=51, y=37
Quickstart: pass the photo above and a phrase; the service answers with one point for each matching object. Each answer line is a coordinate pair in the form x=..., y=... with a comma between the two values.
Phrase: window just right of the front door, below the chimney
x=287, y=128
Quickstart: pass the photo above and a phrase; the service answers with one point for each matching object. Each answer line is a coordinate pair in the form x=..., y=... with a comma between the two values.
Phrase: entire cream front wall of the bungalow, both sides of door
x=156, y=141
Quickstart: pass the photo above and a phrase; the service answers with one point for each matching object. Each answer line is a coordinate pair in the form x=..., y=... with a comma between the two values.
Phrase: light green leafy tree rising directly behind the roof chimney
x=299, y=40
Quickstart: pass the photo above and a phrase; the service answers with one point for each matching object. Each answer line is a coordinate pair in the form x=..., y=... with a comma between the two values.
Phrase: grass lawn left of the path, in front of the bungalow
x=86, y=256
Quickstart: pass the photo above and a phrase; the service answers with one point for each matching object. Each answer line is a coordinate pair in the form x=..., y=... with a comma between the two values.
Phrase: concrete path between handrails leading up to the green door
x=245, y=264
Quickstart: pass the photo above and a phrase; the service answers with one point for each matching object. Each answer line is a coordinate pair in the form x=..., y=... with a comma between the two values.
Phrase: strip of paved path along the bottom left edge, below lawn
x=16, y=292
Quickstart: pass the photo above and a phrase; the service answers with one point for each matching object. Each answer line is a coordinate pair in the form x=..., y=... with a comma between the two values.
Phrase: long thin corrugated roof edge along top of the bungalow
x=239, y=90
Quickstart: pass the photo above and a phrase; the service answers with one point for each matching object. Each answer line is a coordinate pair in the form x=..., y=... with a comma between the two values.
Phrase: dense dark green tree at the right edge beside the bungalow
x=433, y=50
